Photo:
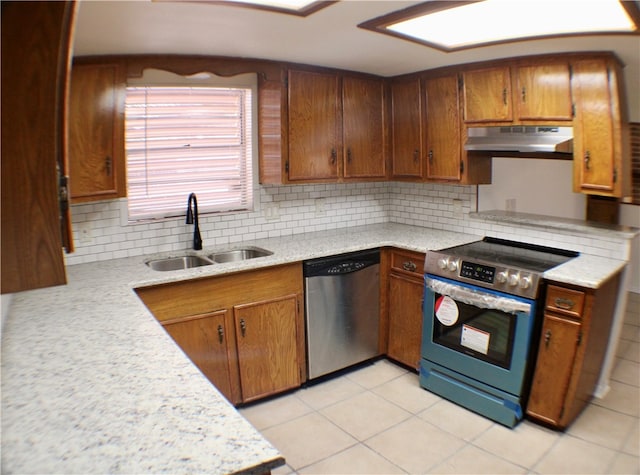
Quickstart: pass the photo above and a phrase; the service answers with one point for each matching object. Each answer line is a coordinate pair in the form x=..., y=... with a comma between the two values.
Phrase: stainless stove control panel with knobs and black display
x=503, y=279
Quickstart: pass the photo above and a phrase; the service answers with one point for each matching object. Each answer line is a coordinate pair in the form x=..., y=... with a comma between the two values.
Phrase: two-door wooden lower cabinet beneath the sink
x=244, y=331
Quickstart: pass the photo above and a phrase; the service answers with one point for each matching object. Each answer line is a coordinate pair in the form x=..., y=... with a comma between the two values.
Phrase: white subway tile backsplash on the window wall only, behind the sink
x=101, y=231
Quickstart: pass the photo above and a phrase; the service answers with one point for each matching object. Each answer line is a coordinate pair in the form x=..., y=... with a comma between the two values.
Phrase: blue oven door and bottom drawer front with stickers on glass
x=476, y=347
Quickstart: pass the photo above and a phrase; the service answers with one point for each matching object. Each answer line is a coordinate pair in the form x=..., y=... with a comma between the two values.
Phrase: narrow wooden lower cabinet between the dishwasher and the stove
x=405, y=289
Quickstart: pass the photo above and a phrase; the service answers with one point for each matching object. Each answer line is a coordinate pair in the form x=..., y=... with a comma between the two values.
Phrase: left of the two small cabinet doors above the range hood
x=487, y=95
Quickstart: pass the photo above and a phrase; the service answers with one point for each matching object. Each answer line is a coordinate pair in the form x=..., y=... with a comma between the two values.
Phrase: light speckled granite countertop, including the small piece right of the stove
x=91, y=383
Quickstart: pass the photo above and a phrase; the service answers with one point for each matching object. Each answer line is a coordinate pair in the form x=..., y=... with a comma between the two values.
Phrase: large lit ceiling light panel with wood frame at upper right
x=463, y=25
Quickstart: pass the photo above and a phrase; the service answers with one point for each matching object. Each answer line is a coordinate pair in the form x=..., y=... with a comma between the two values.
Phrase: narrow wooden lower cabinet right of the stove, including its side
x=573, y=343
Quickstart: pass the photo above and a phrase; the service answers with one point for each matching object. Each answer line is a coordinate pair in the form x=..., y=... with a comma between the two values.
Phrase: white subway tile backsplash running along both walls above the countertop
x=99, y=232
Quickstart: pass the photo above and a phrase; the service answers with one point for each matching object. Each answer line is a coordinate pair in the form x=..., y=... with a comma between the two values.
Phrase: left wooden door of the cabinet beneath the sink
x=203, y=338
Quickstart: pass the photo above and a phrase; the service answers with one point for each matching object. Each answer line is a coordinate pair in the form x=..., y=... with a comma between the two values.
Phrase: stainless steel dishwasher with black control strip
x=341, y=310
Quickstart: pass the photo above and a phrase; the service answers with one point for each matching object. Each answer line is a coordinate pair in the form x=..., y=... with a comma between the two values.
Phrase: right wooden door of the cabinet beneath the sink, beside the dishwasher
x=266, y=338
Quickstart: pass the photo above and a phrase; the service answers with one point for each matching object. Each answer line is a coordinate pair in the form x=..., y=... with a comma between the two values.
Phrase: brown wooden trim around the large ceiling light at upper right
x=381, y=24
